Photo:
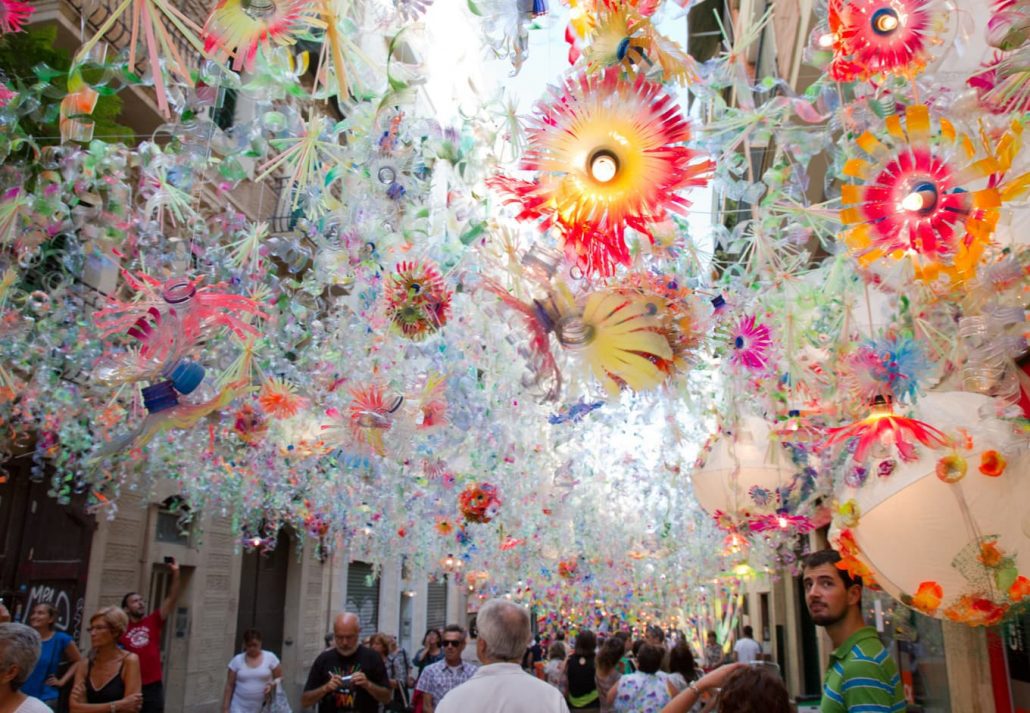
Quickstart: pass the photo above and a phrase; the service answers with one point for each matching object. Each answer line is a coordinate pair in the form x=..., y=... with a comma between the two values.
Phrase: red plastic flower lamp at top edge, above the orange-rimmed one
x=872, y=39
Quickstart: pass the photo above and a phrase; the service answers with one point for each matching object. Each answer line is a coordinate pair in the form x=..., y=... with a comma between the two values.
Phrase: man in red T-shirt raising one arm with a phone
x=144, y=639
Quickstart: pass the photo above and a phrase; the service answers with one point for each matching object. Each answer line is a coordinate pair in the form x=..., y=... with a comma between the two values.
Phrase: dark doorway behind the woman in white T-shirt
x=263, y=594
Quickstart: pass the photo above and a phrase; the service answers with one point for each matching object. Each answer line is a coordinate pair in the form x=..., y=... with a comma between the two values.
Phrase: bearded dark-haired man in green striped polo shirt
x=862, y=677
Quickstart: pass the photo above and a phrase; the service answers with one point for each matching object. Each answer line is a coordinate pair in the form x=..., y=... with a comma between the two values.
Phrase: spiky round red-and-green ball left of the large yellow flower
x=418, y=300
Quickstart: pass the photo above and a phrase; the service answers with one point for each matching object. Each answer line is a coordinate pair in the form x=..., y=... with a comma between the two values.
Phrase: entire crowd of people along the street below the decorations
x=502, y=670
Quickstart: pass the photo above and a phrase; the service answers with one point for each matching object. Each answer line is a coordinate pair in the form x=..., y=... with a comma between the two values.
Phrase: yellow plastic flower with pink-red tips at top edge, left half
x=241, y=28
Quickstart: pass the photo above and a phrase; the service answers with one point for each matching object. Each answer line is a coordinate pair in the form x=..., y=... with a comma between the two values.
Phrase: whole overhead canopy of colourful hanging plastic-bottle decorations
x=613, y=353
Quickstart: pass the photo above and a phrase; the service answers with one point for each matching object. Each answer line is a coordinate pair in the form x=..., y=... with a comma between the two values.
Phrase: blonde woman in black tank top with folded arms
x=109, y=681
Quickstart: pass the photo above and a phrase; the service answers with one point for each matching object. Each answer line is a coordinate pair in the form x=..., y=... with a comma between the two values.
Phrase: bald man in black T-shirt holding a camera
x=348, y=677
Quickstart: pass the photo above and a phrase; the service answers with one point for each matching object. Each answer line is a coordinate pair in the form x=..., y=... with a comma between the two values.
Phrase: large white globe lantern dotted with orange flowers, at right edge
x=960, y=513
